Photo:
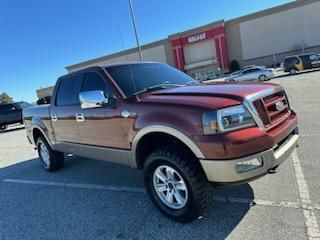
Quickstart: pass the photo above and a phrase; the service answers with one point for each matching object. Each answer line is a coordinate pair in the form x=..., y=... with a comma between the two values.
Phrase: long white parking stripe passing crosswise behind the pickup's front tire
x=224, y=199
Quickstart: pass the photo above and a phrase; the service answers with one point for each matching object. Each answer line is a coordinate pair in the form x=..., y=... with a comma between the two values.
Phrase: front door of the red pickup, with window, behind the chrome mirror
x=101, y=126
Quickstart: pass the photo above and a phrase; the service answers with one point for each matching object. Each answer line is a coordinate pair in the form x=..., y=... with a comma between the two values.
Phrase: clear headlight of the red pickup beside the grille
x=226, y=119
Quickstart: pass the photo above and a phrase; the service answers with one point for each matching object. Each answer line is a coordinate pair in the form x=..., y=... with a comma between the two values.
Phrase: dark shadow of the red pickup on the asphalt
x=104, y=214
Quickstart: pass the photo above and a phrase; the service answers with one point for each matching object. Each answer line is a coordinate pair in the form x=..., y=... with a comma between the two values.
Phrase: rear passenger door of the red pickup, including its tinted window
x=64, y=109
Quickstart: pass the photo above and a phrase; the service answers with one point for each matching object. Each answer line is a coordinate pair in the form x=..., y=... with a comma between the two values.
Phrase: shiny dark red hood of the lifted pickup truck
x=210, y=95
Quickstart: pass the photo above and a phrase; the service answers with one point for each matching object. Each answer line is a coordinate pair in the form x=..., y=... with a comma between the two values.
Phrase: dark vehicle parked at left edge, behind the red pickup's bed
x=11, y=113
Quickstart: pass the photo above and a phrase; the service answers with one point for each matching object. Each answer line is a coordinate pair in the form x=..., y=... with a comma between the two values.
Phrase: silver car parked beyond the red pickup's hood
x=251, y=74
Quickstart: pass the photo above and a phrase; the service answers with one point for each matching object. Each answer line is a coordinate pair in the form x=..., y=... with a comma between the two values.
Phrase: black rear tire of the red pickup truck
x=56, y=159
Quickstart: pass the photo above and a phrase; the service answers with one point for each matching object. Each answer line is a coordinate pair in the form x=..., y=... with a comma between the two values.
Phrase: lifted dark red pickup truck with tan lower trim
x=183, y=134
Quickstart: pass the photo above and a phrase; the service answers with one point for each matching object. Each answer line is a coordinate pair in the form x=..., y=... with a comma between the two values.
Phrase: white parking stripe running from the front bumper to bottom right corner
x=309, y=215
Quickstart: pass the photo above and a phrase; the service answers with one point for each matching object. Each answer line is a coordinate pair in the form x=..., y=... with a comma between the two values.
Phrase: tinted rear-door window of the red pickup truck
x=68, y=92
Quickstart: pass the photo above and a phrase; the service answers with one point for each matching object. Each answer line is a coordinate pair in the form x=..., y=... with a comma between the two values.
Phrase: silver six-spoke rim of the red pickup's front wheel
x=170, y=187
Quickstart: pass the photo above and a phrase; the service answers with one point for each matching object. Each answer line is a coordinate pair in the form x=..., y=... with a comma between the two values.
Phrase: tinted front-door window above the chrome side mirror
x=94, y=81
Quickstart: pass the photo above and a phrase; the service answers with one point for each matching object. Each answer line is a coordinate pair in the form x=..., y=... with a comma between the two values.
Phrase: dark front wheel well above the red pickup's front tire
x=152, y=141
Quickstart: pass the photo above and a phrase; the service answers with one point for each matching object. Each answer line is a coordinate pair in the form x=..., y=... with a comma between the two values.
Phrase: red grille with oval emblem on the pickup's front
x=273, y=109
